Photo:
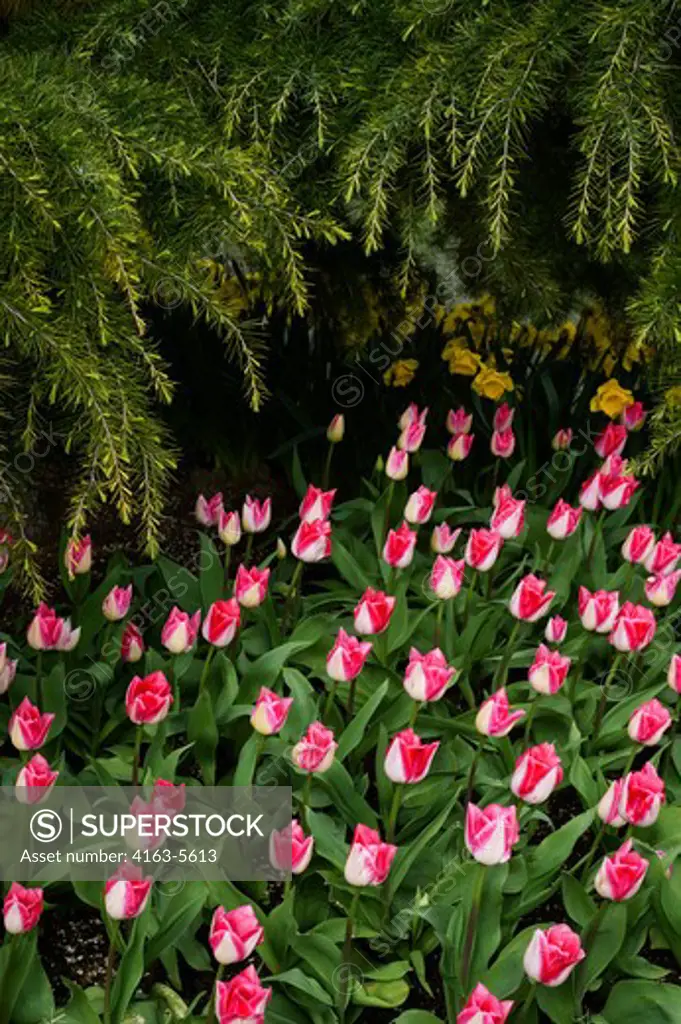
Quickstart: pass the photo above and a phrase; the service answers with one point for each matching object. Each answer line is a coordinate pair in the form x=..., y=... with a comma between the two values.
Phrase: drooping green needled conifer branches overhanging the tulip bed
x=268, y=175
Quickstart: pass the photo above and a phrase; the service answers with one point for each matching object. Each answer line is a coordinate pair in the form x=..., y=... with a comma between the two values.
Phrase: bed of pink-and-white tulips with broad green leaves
x=476, y=708
